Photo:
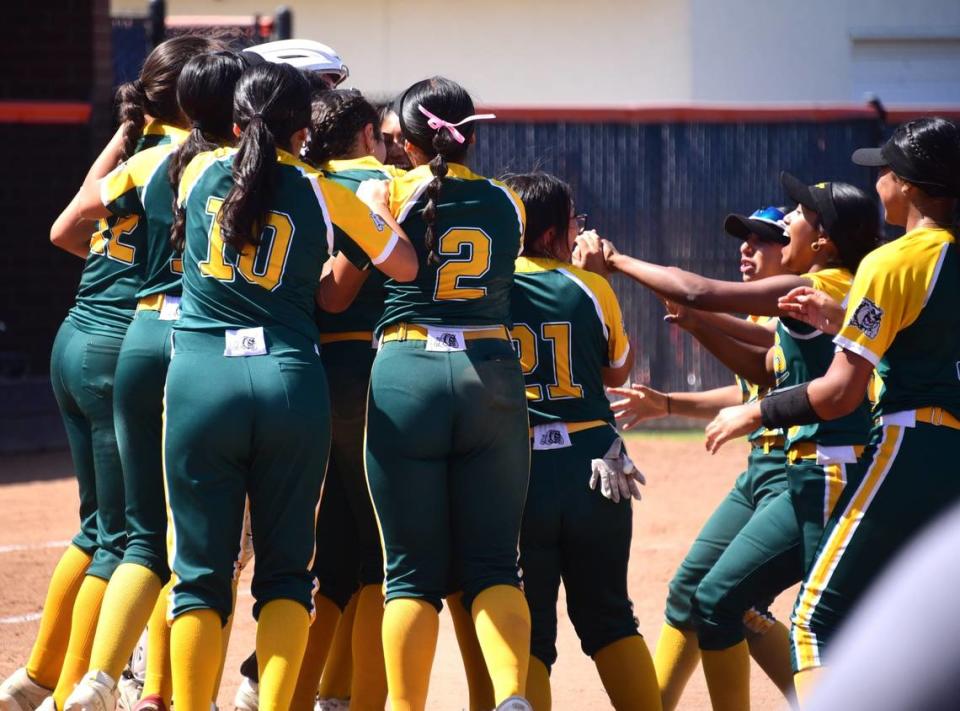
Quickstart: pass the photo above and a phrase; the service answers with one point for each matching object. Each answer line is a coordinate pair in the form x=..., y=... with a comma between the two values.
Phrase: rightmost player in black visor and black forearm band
x=901, y=319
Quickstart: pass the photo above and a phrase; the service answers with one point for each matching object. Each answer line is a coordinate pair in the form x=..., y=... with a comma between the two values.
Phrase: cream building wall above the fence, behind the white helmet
x=524, y=52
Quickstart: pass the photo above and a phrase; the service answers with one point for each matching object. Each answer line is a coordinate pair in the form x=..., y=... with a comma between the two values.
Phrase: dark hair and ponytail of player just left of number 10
x=205, y=93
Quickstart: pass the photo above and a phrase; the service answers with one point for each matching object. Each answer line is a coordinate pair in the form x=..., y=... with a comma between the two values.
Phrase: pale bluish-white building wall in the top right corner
x=820, y=50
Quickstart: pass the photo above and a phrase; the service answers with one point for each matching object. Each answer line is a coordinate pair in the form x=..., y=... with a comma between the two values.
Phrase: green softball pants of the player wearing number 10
x=236, y=427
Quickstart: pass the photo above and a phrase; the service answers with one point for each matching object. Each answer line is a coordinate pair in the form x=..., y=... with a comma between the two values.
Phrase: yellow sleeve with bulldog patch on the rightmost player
x=890, y=290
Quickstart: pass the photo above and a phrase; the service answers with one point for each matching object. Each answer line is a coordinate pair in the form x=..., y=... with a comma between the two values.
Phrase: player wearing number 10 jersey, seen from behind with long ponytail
x=246, y=411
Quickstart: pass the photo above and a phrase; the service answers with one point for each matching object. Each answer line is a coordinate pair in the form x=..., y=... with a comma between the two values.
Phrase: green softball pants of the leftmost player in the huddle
x=82, y=368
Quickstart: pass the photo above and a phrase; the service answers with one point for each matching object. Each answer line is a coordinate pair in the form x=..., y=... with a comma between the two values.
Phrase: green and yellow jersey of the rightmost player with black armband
x=903, y=317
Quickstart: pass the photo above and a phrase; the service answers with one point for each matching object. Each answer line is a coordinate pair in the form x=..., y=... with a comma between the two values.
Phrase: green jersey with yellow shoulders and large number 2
x=478, y=229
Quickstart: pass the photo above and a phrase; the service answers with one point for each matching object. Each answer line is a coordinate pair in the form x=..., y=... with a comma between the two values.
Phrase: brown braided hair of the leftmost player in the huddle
x=154, y=93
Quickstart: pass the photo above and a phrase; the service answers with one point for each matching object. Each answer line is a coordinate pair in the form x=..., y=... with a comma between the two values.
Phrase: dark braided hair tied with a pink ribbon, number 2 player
x=449, y=101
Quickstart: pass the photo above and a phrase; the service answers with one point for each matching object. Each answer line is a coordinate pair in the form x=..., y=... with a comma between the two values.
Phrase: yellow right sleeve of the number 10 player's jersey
x=352, y=220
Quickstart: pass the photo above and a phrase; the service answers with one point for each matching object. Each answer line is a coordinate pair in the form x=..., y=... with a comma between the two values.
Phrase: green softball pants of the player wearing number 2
x=448, y=463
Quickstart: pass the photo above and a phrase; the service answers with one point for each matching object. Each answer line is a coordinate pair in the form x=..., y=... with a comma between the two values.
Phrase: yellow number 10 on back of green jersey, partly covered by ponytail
x=262, y=266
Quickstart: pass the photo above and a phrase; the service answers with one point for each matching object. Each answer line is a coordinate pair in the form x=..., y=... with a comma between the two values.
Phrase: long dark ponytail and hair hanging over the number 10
x=271, y=103
